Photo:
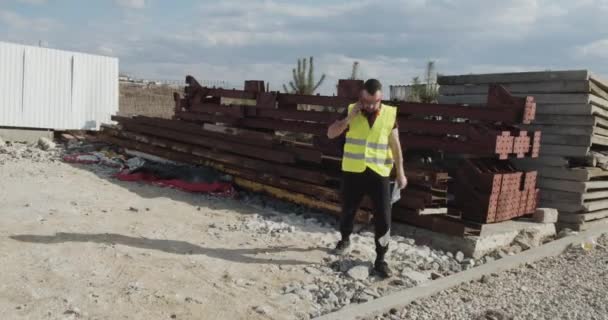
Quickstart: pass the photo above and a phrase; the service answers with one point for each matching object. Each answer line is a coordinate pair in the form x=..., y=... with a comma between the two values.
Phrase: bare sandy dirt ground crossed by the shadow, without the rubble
x=74, y=244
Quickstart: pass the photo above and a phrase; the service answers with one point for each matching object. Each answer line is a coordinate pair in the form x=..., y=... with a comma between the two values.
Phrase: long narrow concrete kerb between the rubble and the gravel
x=402, y=298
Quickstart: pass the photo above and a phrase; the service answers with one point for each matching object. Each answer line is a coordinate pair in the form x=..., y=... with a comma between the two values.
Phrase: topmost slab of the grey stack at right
x=515, y=77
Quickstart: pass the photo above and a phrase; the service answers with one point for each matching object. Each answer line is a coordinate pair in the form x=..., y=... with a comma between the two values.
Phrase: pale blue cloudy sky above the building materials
x=250, y=39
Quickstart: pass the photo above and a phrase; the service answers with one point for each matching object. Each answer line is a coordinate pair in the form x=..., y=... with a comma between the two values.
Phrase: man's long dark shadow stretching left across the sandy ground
x=171, y=246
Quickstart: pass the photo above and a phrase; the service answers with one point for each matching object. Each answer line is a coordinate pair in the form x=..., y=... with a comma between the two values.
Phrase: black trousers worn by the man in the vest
x=354, y=187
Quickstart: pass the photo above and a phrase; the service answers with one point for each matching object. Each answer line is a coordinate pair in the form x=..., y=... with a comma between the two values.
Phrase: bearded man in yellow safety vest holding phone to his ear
x=371, y=147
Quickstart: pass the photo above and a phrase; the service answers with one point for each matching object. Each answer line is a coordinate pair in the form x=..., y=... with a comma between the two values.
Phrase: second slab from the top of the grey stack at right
x=529, y=88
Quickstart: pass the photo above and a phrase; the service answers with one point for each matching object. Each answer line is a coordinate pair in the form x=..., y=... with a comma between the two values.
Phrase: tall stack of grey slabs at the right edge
x=572, y=114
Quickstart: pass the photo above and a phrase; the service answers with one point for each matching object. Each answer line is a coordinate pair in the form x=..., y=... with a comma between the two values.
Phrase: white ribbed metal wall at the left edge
x=55, y=89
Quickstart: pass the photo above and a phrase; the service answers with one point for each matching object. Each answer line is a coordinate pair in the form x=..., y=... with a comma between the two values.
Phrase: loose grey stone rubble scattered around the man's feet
x=341, y=280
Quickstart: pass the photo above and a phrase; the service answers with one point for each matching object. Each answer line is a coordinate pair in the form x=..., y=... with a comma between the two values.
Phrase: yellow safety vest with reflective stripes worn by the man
x=367, y=147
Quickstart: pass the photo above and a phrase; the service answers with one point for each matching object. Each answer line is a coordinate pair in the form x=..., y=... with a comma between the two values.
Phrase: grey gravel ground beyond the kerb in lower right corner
x=573, y=285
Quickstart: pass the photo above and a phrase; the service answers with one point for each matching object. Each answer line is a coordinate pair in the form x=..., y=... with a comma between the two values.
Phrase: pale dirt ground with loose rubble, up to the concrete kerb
x=75, y=243
